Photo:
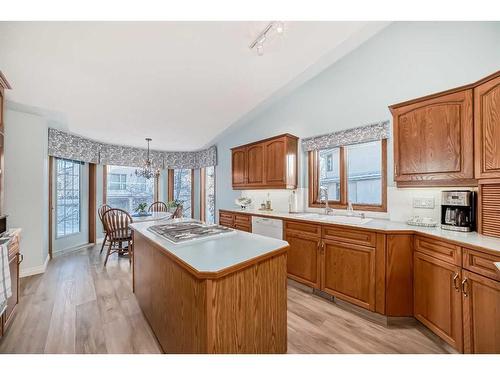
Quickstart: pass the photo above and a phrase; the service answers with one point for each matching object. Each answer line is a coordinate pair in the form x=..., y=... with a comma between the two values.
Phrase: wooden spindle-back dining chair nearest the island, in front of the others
x=116, y=222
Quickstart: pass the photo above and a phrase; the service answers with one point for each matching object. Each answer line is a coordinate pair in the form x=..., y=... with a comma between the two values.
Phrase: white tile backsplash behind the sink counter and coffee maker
x=399, y=201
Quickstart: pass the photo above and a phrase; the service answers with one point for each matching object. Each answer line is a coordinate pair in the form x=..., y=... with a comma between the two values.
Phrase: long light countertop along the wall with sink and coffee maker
x=468, y=239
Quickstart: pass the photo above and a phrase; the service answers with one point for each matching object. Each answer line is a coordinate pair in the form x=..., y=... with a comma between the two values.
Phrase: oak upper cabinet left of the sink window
x=267, y=164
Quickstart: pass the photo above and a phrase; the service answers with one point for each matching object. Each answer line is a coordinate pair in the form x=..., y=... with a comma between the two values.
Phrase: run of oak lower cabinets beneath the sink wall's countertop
x=452, y=290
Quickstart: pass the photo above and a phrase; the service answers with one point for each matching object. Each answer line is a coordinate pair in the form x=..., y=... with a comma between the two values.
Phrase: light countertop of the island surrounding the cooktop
x=217, y=253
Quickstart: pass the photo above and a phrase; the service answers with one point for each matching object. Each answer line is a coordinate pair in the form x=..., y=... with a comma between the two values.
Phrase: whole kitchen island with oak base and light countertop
x=222, y=294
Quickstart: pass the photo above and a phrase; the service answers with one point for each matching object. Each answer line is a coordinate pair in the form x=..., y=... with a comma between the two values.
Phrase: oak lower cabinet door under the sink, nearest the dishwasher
x=303, y=258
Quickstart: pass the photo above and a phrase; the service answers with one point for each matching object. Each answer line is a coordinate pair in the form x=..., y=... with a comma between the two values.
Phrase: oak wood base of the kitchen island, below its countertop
x=242, y=309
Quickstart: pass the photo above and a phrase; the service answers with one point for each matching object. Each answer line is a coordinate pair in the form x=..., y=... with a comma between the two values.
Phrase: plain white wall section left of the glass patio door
x=26, y=185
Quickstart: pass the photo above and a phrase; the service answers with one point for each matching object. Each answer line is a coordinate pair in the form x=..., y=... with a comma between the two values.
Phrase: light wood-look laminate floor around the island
x=79, y=306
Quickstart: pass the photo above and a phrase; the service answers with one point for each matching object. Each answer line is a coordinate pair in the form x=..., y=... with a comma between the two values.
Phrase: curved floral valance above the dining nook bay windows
x=69, y=146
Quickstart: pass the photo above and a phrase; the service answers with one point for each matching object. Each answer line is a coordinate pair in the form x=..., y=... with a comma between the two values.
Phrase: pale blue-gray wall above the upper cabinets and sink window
x=404, y=61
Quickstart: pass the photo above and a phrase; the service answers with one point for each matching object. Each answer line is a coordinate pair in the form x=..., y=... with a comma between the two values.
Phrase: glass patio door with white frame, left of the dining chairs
x=70, y=202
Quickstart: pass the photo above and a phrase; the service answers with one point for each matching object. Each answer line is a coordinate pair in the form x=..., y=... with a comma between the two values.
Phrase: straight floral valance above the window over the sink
x=367, y=133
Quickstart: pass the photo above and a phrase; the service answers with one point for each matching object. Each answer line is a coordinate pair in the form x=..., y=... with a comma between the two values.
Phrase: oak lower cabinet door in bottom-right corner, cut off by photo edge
x=481, y=302
